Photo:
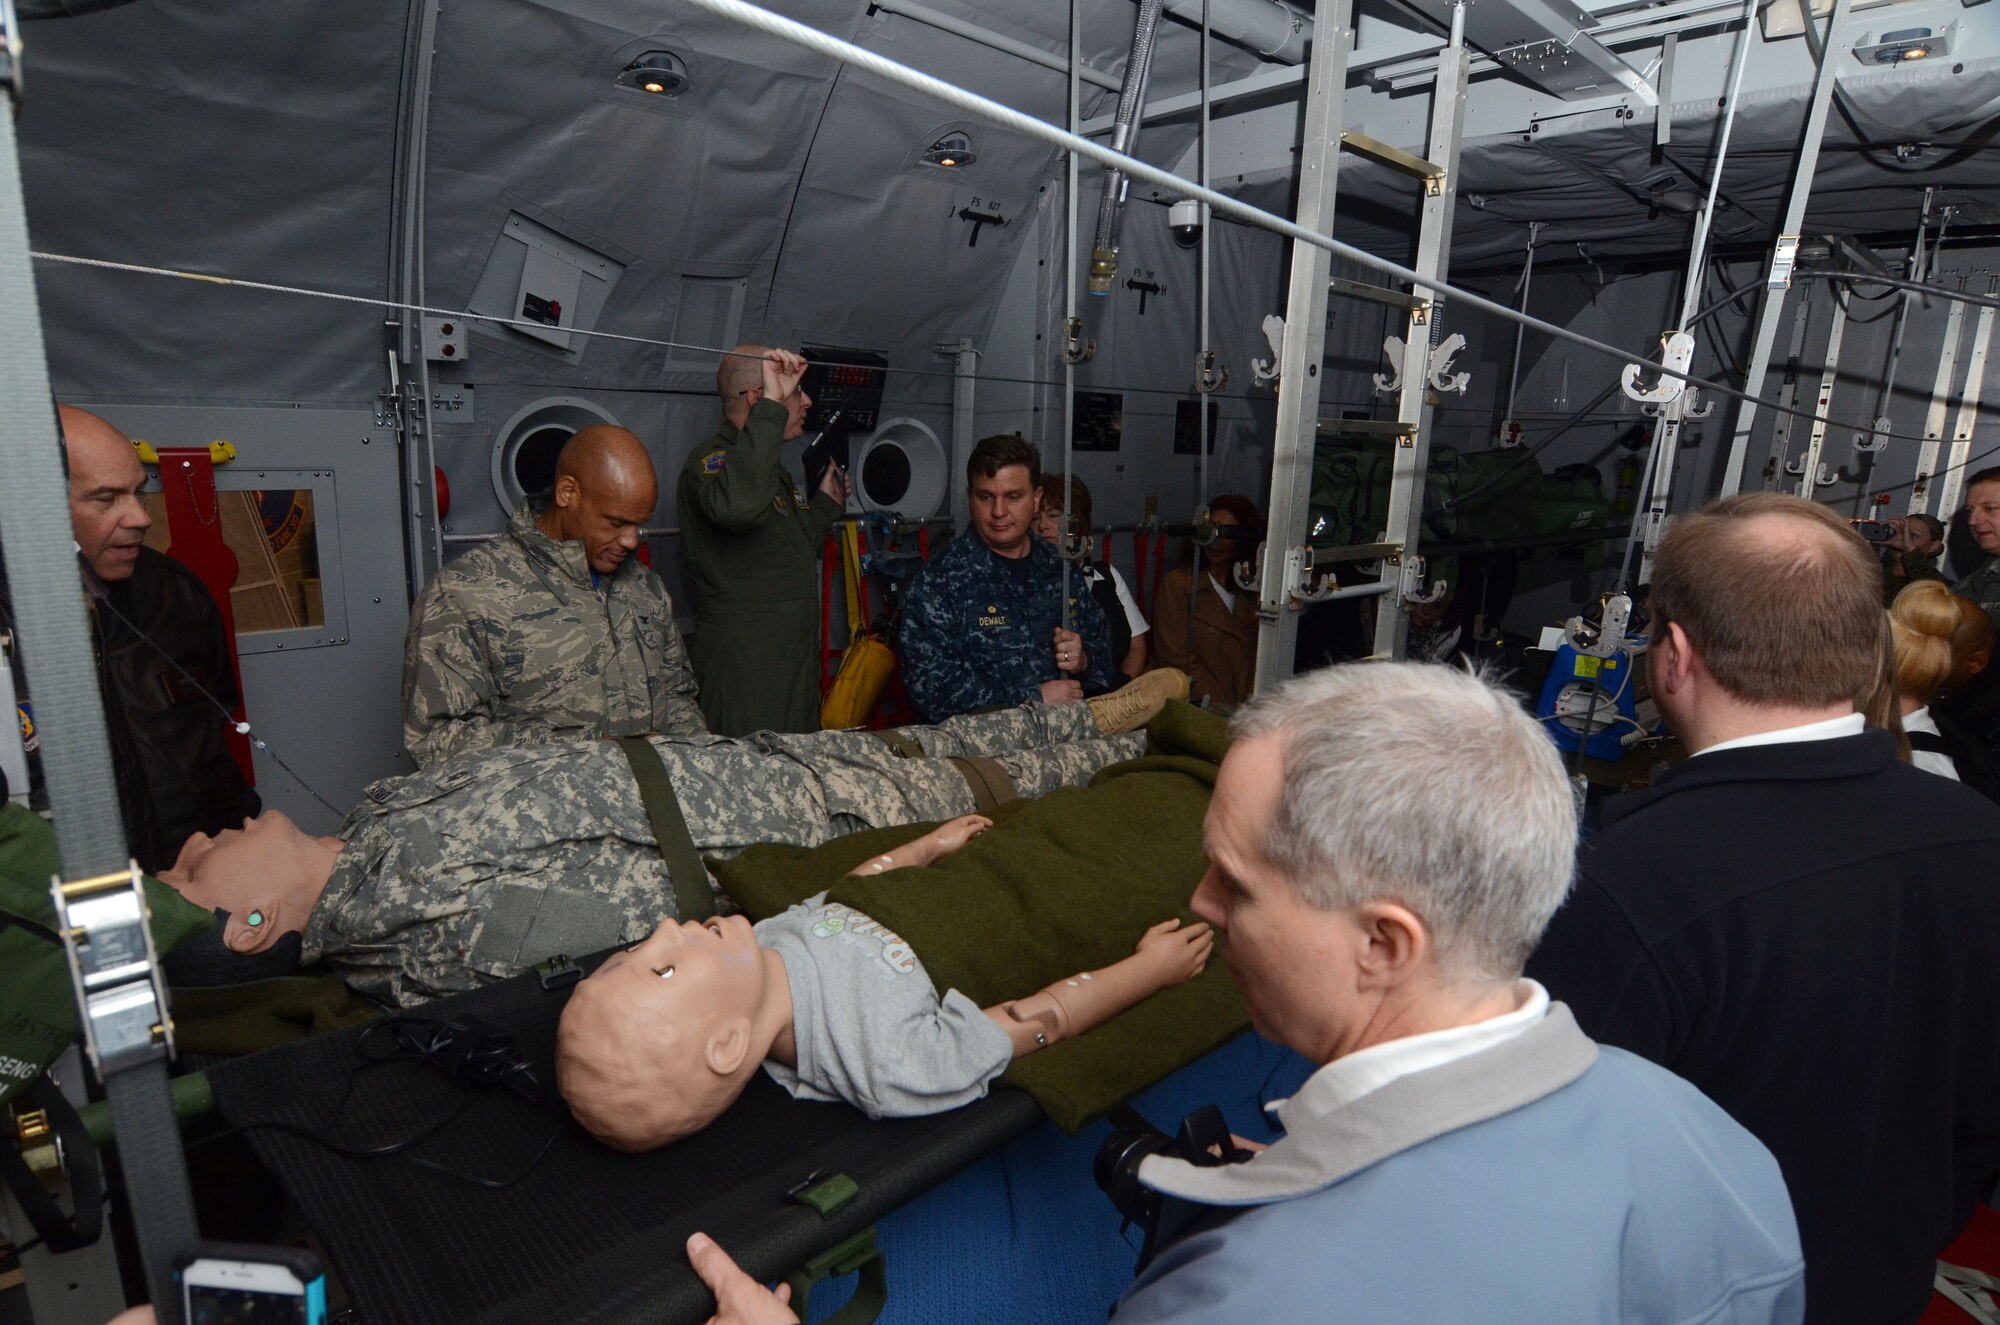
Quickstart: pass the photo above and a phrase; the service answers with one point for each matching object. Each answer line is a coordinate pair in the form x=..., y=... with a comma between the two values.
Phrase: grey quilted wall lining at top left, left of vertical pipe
x=173, y=137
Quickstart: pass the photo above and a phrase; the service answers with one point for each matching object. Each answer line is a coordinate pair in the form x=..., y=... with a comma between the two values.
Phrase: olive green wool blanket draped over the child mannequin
x=1061, y=886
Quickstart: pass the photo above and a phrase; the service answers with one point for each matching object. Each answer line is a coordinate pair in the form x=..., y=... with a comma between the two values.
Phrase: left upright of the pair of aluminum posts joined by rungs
x=1305, y=343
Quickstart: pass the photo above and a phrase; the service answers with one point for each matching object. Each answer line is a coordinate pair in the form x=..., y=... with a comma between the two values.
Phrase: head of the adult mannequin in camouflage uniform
x=267, y=876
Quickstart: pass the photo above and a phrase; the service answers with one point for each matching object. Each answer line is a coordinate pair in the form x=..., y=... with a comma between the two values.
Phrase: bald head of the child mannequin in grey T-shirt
x=663, y=1038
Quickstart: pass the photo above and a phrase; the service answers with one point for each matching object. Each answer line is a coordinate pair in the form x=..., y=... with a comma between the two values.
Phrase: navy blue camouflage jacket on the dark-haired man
x=979, y=631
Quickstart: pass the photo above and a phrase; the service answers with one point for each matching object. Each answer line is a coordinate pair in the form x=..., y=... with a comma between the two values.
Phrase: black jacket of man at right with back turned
x=1811, y=934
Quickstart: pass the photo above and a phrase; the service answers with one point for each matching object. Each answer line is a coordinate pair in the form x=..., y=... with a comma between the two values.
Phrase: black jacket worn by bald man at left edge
x=169, y=752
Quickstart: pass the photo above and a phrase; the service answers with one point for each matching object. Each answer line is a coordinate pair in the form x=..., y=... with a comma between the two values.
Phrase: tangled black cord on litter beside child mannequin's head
x=473, y=1058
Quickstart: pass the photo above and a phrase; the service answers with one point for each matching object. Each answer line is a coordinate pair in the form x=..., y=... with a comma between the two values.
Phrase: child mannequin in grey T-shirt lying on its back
x=665, y=1036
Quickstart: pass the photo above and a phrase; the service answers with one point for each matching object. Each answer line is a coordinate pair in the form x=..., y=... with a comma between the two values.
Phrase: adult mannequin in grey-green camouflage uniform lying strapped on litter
x=481, y=868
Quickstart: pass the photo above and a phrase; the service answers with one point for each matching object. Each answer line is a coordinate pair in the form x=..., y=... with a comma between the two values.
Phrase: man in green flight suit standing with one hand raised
x=751, y=543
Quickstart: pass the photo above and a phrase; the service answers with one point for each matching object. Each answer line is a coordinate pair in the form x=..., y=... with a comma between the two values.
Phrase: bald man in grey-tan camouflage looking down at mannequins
x=553, y=631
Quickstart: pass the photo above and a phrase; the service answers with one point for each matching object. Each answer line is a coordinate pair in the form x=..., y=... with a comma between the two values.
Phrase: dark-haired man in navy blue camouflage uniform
x=985, y=621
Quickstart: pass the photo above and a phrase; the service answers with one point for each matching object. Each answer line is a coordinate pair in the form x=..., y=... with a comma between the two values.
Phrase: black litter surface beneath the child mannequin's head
x=589, y=1234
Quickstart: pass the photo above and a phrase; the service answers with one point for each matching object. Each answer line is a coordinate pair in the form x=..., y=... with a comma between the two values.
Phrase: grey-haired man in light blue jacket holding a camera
x=1385, y=846
